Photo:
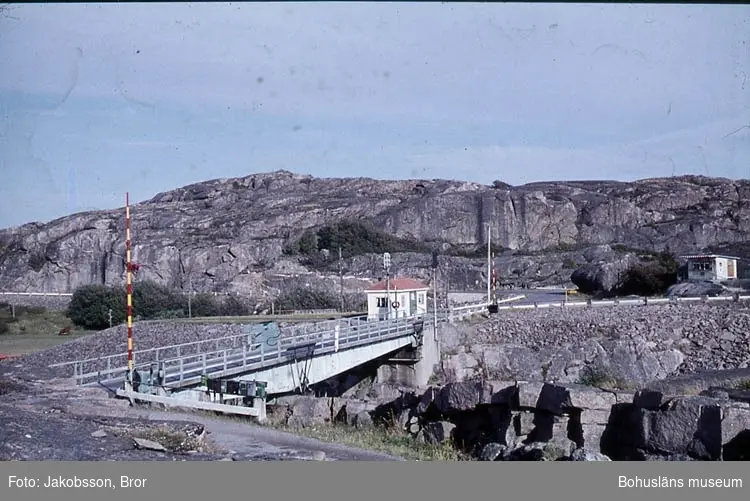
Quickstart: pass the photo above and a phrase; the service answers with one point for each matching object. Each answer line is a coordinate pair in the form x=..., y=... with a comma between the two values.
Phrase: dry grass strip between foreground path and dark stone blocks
x=380, y=439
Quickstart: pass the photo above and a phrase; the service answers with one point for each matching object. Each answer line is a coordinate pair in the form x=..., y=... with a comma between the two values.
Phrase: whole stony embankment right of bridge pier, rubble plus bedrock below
x=628, y=345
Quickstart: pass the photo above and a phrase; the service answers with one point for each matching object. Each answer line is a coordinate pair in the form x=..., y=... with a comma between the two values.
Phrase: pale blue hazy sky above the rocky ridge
x=100, y=99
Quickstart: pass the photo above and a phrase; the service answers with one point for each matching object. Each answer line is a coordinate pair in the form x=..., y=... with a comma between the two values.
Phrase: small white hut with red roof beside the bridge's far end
x=405, y=297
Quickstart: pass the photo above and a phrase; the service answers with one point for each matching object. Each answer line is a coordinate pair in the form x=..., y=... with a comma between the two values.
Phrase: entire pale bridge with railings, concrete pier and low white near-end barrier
x=227, y=374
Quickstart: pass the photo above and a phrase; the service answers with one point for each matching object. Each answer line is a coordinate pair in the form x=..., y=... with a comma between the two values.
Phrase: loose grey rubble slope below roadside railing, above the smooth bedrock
x=711, y=335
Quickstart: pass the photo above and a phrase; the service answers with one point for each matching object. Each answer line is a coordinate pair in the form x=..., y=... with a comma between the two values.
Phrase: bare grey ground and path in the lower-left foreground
x=57, y=421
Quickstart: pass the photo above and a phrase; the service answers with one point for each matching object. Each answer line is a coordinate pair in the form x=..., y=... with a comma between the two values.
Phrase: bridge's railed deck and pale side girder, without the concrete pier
x=261, y=348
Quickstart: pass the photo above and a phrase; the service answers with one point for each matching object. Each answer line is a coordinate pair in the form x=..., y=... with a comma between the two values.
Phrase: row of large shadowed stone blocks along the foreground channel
x=511, y=421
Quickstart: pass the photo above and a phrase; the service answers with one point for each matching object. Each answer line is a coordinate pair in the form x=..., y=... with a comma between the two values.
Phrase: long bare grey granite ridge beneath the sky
x=228, y=234
